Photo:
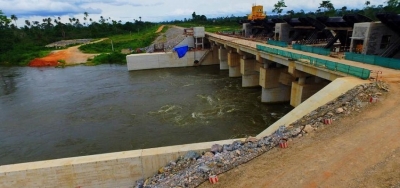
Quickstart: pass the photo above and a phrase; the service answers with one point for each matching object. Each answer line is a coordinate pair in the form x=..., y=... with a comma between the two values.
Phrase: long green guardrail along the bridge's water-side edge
x=330, y=65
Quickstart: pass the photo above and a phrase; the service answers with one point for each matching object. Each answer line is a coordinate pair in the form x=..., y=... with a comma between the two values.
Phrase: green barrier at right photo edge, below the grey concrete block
x=374, y=60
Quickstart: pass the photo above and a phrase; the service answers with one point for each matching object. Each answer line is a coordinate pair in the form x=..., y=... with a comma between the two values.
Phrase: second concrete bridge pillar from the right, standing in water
x=272, y=89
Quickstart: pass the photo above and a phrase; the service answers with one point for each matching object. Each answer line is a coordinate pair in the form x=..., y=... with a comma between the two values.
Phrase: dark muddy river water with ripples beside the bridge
x=48, y=113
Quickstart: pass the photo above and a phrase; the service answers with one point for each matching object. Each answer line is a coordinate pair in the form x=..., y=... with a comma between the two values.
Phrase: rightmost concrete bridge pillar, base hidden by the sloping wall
x=301, y=92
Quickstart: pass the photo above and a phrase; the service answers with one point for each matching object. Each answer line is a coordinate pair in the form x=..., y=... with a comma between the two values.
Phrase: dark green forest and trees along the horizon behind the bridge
x=20, y=44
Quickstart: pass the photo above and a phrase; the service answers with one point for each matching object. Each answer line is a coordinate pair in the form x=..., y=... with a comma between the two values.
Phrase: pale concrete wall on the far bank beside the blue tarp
x=166, y=60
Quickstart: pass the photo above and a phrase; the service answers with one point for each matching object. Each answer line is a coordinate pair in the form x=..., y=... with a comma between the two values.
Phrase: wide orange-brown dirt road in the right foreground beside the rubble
x=358, y=151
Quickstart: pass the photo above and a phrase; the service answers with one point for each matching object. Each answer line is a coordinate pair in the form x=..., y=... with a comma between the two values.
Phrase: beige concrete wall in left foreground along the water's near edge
x=119, y=169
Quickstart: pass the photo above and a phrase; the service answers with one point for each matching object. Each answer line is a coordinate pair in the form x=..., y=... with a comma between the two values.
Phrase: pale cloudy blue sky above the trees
x=153, y=10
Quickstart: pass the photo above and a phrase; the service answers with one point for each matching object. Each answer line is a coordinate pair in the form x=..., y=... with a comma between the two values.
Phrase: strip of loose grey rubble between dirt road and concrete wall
x=193, y=169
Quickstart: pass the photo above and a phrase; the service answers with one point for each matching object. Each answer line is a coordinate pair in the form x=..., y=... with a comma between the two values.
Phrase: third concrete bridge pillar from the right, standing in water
x=249, y=68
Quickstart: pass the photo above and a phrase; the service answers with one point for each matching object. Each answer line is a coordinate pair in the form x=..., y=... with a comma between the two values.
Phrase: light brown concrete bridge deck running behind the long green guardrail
x=388, y=75
